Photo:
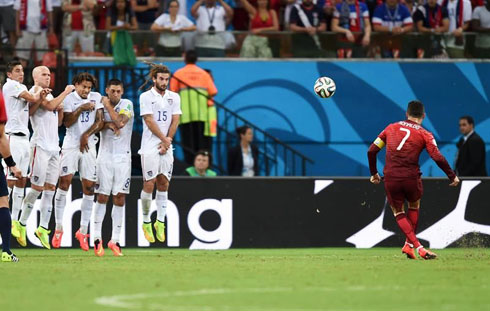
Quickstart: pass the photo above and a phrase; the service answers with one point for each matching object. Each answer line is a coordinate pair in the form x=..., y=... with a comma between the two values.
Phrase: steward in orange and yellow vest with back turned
x=194, y=86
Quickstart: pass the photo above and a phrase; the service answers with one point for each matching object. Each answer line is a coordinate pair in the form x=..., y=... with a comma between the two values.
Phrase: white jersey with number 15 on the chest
x=162, y=108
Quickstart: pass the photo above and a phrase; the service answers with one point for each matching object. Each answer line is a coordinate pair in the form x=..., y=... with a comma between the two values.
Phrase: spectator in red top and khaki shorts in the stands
x=262, y=20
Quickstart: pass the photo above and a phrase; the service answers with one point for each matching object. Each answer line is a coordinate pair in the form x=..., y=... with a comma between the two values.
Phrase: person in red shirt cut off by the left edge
x=5, y=220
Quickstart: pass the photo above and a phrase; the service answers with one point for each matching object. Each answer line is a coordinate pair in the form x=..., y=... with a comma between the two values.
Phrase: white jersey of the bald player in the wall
x=45, y=126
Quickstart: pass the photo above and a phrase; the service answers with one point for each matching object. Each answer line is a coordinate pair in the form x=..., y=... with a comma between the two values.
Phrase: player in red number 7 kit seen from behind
x=404, y=142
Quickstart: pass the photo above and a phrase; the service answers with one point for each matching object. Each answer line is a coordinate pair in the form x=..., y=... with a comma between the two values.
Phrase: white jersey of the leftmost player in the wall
x=17, y=108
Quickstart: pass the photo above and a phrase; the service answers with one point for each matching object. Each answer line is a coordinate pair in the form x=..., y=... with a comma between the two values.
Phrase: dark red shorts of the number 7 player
x=397, y=191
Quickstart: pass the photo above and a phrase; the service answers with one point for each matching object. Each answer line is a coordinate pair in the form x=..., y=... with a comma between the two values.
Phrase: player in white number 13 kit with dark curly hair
x=83, y=117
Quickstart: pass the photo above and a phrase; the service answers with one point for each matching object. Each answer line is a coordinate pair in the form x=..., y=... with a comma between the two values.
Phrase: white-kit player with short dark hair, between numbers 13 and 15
x=113, y=164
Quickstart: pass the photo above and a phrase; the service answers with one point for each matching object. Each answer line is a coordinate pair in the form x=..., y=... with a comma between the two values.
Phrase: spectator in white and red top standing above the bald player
x=33, y=18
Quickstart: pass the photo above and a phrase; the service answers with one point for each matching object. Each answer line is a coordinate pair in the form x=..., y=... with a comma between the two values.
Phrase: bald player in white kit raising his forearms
x=46, y=116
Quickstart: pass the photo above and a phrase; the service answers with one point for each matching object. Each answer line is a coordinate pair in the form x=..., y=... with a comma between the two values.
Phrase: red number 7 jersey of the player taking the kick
x=404, y=142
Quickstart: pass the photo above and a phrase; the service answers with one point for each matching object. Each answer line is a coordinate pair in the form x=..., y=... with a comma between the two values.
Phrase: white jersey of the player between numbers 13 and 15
x=111, y=144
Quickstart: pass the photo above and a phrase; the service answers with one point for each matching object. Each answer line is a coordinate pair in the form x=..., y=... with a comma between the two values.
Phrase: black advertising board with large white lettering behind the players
x=222, y=213
